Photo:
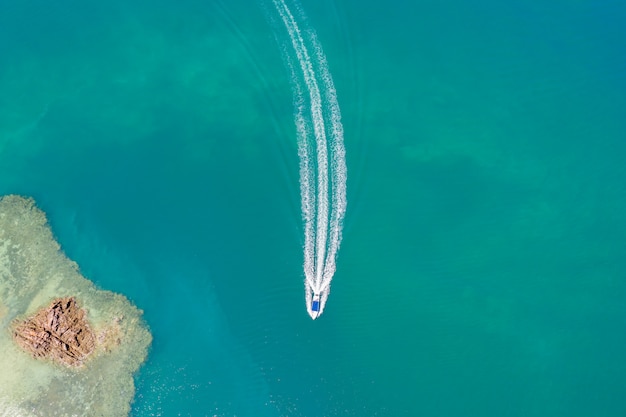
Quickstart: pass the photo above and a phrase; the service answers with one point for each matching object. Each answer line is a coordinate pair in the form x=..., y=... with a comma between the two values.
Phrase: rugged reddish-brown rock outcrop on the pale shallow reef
x=59, y=332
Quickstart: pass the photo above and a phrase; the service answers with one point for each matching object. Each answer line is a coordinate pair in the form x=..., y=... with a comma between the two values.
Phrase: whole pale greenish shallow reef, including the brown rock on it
x=63, y=342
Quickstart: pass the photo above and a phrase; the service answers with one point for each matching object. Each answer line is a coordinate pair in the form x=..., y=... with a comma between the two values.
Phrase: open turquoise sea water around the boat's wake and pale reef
x=481, y=271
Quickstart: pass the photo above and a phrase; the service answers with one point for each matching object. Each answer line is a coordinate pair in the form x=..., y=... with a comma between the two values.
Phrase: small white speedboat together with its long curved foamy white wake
x=323, y=169
